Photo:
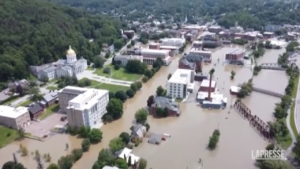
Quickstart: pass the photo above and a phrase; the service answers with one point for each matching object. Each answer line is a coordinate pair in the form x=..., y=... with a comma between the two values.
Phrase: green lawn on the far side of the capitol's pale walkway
x=120, y=74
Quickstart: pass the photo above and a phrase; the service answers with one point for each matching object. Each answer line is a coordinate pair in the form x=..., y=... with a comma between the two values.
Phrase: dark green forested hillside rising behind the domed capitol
x=33, y=32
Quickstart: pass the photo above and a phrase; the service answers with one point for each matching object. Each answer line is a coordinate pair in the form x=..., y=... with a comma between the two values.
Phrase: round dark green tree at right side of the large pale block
x=115, y=108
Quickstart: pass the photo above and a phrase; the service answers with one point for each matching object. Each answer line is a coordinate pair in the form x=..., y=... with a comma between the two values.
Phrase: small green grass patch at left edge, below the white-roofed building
x=7, y=136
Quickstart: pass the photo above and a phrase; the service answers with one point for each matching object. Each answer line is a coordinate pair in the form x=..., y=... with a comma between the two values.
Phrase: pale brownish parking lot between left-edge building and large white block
x=43, y=128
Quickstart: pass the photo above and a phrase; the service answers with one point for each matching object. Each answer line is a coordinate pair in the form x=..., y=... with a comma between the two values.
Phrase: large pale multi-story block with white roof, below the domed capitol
x=86, y=108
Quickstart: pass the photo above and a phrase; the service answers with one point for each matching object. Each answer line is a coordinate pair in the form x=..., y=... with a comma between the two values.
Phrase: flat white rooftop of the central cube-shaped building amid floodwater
x=181, y=76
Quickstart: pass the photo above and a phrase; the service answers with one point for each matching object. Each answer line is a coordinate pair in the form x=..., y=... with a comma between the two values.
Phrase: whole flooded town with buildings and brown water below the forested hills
x=193, y=95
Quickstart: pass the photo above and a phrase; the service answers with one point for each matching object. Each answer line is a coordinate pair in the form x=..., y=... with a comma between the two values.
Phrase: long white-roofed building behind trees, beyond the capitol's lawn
x=150, y=55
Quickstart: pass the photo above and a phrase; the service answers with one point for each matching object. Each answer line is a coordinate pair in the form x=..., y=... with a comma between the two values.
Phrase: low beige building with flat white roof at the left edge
x=15, y=118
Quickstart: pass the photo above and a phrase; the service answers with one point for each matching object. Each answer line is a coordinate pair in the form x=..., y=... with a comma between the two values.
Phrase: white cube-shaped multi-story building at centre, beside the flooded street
x=181, y=82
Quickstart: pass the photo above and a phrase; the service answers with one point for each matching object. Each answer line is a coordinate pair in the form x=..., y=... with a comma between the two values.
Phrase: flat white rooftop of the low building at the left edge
x=11, y=112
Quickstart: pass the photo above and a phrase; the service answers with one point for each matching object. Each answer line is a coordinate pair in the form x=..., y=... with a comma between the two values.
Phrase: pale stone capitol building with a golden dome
x=69, y=67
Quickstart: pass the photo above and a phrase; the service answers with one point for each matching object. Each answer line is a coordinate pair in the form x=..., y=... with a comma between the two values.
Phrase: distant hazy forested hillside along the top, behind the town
x=251, y=14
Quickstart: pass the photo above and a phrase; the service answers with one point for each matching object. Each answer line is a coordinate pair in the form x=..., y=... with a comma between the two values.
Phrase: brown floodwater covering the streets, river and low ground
x=190, y=132
